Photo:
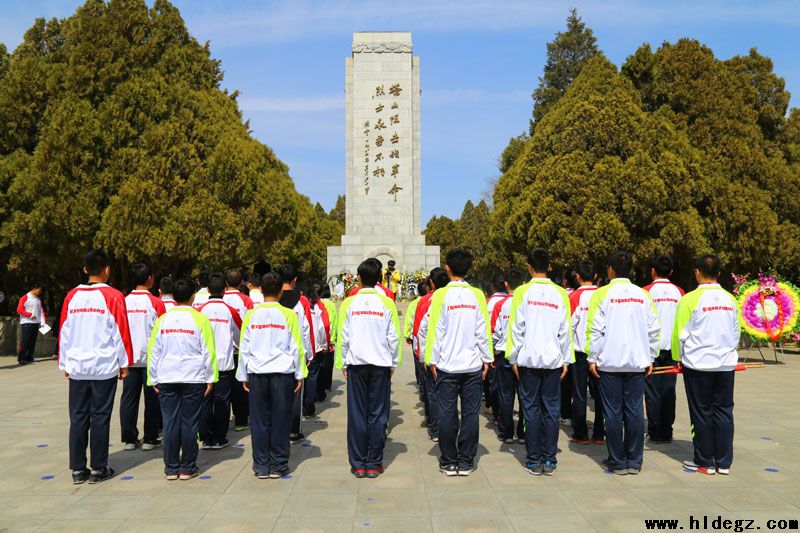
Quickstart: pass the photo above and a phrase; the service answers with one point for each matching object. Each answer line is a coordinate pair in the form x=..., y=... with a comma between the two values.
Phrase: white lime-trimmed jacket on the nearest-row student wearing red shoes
x=369, y=331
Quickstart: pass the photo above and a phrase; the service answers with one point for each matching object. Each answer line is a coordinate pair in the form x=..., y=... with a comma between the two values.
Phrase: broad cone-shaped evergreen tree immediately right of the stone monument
x=599, y=174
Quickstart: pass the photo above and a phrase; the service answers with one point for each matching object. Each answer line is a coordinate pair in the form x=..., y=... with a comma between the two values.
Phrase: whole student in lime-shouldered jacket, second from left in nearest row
x=182, y=367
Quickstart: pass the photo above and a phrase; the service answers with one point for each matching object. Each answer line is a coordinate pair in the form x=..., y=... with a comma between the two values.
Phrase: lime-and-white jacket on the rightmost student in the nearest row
x=706, y=331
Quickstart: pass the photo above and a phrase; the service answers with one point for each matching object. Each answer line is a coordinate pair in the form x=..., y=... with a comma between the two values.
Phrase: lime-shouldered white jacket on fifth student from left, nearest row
x=458, y=337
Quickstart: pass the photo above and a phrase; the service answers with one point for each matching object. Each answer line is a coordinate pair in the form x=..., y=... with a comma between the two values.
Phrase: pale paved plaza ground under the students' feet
x=321, y=495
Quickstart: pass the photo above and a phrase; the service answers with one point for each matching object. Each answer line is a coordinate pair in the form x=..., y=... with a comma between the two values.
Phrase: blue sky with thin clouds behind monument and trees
x=480, y=60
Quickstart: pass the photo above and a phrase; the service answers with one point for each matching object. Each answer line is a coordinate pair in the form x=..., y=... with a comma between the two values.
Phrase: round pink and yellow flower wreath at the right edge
x=769, y=309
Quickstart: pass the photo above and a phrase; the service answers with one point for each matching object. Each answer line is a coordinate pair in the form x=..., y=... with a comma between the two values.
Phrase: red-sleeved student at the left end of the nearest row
x=94, y=350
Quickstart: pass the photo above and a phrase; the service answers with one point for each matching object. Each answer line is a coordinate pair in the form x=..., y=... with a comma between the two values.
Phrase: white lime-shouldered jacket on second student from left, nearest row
x=182, y=348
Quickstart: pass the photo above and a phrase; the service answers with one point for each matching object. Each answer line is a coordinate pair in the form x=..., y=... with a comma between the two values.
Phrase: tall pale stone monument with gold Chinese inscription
x=382, y=145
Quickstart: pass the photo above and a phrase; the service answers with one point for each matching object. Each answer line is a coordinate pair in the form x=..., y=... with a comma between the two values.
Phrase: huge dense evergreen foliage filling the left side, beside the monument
x=114, y=132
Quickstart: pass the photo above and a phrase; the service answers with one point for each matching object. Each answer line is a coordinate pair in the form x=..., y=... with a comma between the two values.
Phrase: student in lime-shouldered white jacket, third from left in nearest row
x=272, y=366
